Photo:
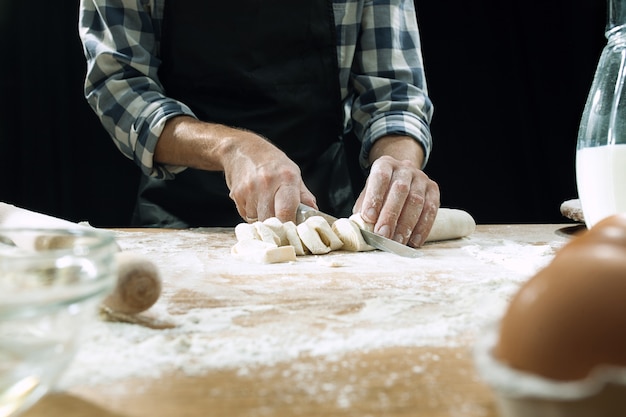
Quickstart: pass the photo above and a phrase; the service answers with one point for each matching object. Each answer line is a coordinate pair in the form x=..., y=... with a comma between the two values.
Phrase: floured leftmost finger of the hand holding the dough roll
x=375, y=190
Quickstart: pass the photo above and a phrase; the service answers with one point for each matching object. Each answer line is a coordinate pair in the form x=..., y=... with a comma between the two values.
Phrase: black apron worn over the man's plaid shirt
x=269, y=66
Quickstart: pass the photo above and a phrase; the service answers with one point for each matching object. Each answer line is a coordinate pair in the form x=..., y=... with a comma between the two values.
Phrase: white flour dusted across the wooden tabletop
x=229, y=314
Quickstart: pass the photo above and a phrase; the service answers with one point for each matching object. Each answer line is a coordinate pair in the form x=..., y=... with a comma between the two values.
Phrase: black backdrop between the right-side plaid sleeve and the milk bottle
x=509, y=80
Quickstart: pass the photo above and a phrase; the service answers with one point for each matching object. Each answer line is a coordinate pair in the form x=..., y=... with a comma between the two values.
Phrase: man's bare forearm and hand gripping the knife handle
x=262, y=180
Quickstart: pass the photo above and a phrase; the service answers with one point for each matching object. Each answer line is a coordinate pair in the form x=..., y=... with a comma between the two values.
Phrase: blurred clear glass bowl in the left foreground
x=51, y=284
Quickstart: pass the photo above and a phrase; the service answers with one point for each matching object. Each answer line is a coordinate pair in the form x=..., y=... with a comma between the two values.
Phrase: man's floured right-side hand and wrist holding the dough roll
x=399, y=198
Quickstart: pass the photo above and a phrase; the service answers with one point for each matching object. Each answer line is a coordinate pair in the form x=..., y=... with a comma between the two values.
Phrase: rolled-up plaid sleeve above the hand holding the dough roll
x=388, y=79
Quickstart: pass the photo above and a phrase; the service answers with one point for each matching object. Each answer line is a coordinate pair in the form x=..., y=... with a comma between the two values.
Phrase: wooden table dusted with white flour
x=344, y=334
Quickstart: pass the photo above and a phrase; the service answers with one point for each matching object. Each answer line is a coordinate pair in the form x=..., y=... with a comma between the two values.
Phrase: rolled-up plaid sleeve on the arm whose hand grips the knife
x=121, y=84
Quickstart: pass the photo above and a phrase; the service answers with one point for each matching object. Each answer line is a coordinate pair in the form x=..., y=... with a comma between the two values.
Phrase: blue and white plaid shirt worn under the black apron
x=381, y=74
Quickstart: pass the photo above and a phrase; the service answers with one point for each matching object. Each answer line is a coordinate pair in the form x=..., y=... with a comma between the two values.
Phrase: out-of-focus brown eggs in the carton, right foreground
x=571, y=316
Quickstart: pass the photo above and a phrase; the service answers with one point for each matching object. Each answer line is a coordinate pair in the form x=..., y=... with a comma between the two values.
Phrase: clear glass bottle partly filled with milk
x=601, y=146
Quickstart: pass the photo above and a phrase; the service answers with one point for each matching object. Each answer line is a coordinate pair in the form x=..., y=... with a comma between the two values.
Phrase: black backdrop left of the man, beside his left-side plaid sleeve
x=54, y=155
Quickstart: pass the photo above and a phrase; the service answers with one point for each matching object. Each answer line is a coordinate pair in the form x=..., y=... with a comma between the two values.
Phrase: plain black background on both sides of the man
x=509, y=80
